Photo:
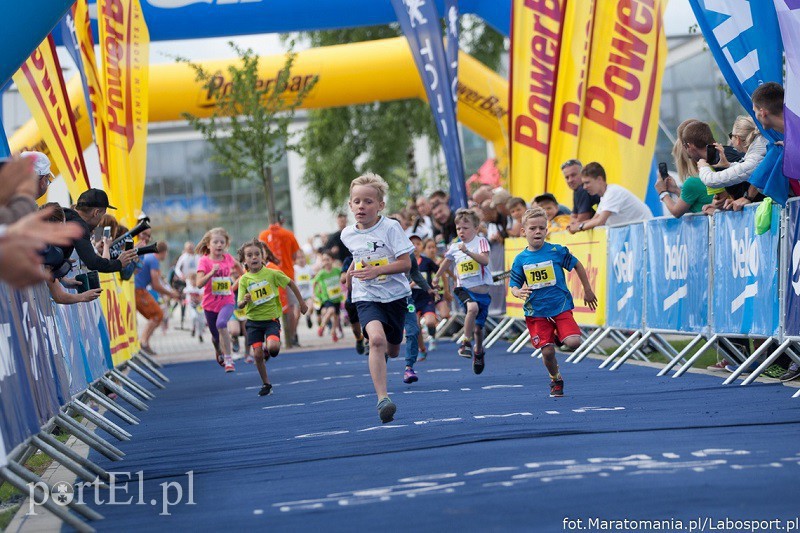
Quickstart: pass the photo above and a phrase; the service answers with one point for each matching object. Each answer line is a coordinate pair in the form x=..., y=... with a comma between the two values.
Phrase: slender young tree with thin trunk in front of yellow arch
x=248, y=128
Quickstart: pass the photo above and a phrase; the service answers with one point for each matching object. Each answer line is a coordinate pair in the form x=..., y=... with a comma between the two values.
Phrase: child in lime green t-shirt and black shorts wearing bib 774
x=258, y=296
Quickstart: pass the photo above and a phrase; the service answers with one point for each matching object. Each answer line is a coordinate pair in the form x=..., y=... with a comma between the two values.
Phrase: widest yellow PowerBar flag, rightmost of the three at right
x=623, y=91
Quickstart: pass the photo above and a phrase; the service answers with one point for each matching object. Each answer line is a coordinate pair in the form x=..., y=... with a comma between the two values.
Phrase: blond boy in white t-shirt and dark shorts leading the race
x=380, y=251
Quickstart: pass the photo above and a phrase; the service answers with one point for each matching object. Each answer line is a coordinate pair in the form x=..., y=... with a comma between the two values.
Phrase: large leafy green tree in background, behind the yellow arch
x=344, y=142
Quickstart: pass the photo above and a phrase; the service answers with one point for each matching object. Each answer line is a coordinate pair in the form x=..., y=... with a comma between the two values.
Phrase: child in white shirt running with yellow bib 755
x=474, y=279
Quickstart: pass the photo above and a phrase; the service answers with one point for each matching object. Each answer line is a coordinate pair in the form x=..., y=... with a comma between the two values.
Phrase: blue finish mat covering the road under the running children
x=488, y=452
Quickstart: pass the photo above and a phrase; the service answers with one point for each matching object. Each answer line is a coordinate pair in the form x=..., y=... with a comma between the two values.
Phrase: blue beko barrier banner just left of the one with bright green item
x=677, y=273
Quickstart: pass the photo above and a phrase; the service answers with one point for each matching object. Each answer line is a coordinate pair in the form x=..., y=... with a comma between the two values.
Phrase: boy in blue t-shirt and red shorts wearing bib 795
x=537, y=276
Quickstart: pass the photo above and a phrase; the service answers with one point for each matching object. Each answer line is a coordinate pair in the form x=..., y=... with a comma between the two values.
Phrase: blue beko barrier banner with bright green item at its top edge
x=745, y=291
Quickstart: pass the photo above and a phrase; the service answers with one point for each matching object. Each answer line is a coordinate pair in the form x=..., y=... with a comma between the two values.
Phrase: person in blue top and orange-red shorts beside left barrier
x=150, y=275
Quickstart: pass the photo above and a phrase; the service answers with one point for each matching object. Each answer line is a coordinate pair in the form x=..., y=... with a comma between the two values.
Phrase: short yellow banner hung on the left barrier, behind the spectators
x=119, y=307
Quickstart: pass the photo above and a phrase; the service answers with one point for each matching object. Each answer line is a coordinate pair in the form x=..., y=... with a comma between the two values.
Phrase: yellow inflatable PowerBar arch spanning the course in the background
x=348, y=74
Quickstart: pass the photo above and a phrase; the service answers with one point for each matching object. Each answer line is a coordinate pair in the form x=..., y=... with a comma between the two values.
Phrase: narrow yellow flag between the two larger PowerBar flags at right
x=573, y=68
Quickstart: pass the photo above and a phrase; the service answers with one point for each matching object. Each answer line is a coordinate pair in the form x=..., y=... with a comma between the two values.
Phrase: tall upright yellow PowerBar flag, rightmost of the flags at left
x=125, y=48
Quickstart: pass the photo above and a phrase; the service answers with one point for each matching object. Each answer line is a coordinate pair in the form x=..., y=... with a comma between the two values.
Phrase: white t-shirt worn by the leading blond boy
x=381, y=244
